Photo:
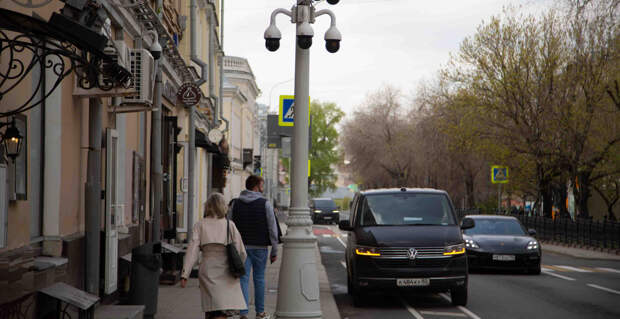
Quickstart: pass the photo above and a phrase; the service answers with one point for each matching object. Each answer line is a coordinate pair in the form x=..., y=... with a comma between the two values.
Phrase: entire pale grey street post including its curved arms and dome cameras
x=298, y=288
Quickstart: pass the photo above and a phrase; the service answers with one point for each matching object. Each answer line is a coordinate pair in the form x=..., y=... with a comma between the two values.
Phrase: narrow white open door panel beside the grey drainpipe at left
x=111, y=213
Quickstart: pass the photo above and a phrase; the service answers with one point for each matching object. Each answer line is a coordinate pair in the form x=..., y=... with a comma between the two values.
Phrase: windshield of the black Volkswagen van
x=406, y=209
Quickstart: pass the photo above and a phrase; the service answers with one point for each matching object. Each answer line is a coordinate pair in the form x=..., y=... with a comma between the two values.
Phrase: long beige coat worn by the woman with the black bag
x=219, y=289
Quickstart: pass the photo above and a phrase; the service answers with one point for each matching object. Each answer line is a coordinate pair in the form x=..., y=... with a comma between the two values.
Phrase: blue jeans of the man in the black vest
x=256, y=261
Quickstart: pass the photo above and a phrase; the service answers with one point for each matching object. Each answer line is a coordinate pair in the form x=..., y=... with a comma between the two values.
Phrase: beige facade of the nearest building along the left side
x=46, y=201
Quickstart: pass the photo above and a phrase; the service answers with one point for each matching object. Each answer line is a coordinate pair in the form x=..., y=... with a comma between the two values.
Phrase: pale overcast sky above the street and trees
x=396, y=42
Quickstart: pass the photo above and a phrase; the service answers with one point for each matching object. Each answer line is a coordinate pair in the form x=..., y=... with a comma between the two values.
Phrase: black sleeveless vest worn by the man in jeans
x=251, y=221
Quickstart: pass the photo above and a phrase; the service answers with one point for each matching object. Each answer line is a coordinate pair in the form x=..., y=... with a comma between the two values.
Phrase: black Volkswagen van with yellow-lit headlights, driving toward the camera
x=405, y=240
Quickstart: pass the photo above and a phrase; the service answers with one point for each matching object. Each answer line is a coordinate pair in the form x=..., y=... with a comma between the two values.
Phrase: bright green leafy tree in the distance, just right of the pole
x=324, y=154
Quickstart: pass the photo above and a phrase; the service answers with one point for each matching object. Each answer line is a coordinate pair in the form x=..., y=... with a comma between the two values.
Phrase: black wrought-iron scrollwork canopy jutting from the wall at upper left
x=29, y=47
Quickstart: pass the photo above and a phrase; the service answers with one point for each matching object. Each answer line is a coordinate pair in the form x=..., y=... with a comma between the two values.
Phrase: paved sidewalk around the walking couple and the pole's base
x=175, y=302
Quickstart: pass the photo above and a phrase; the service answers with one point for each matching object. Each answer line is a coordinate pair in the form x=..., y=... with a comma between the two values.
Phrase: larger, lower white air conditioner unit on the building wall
x=142, y=67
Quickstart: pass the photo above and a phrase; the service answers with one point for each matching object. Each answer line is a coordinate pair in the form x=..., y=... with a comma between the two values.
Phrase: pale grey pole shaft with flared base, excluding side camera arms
x=298, y=295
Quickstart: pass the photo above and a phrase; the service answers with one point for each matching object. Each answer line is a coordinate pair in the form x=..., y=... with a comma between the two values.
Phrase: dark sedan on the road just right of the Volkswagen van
x=501, y=242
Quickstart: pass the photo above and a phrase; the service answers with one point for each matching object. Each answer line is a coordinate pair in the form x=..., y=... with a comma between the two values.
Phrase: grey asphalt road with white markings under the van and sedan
x=567, y=288
